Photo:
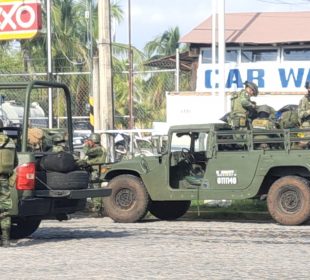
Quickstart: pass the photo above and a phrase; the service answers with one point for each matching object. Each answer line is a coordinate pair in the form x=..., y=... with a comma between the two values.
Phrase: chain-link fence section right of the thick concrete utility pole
x=149, y=95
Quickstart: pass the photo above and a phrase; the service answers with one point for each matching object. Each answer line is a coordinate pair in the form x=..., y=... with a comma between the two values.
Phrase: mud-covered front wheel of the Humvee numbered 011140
x=129, y=200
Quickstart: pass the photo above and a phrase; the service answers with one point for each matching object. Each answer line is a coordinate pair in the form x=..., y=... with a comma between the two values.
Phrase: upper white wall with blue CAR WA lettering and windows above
x=280, y=69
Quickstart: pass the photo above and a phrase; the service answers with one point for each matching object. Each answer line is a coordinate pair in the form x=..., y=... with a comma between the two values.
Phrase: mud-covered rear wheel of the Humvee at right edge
x=288, y=200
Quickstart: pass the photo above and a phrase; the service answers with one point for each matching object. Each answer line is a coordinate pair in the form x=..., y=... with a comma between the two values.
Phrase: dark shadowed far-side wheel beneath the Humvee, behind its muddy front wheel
x=169, y=210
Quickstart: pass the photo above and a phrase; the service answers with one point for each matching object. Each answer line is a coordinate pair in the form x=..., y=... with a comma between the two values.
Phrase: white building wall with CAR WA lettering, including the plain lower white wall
x=280, y=73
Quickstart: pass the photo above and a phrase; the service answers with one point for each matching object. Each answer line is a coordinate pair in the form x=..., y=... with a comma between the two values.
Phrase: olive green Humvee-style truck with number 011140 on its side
x=214, y=162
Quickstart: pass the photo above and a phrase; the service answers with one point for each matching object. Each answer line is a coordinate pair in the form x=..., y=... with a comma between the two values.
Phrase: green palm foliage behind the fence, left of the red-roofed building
x=71, y=50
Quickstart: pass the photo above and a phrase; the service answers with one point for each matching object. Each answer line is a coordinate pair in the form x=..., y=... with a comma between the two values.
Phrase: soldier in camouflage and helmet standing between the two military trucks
x=95, y=155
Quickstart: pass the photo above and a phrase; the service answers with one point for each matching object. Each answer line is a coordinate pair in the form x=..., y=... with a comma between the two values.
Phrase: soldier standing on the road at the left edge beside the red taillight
x=5, y=193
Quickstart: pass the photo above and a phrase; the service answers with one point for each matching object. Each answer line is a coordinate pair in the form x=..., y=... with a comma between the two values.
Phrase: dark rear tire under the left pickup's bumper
x=23, y=227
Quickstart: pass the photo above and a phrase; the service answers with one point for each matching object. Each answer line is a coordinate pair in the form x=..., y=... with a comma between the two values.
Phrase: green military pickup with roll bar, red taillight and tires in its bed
x=38, y=193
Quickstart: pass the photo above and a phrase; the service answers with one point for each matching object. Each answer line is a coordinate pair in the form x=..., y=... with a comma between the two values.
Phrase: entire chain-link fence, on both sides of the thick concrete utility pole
x=149, y=94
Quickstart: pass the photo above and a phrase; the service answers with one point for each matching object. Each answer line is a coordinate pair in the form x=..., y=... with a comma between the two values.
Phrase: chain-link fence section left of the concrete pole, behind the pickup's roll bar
x=78, y=83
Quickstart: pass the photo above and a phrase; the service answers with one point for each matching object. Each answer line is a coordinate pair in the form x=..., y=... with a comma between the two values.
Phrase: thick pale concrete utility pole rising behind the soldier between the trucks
x=105, y=96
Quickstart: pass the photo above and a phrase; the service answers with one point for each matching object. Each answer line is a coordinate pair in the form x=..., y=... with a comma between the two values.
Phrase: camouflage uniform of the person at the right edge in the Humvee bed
x=304, y=114
